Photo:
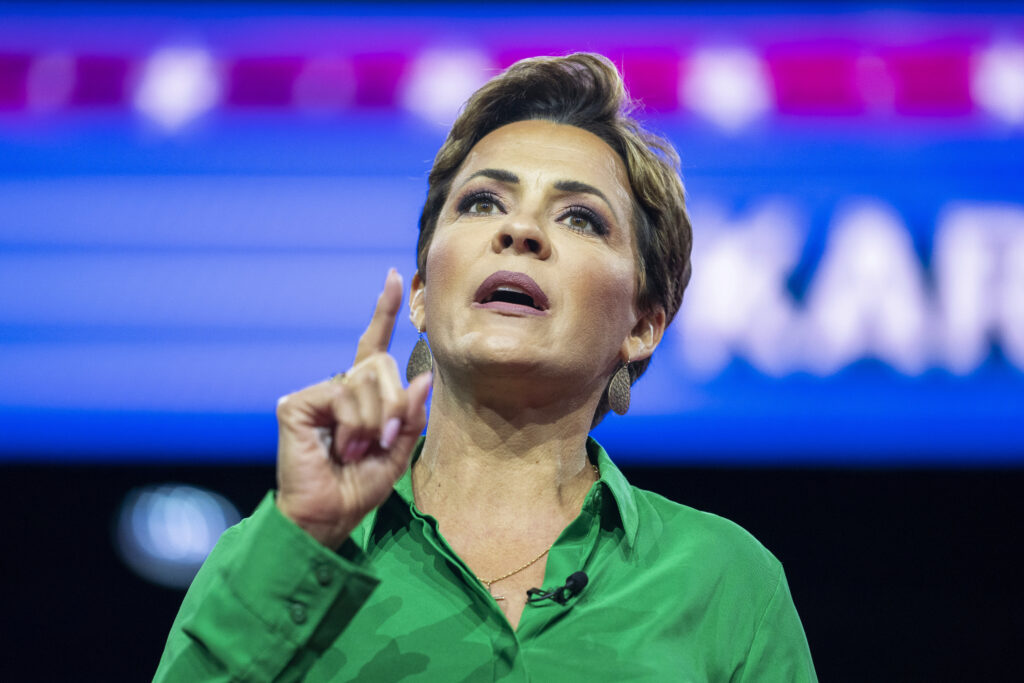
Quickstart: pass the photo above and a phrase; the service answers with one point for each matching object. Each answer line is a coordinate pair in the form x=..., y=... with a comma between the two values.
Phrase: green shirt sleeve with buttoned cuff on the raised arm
x=267, y=604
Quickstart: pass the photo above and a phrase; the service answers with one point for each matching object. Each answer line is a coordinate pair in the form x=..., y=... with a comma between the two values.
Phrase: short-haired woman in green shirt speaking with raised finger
x=554, y=249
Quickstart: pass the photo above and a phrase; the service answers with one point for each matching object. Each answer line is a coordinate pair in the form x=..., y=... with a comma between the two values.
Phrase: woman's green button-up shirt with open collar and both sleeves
x=674, y=595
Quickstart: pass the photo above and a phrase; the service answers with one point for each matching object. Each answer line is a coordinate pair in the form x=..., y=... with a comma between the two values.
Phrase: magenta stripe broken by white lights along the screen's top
x=821, y=78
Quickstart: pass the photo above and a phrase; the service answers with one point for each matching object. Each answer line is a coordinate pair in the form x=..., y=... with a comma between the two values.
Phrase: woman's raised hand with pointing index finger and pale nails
x=345, y=443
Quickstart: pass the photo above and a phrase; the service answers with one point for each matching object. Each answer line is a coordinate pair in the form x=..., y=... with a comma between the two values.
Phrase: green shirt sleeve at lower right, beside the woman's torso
x=779, y=651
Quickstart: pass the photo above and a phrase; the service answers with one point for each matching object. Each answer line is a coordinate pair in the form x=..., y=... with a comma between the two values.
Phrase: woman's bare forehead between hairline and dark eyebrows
x=552, y=152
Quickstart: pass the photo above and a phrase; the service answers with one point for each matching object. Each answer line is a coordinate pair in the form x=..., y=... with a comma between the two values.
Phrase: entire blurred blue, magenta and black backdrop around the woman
x=199, y=204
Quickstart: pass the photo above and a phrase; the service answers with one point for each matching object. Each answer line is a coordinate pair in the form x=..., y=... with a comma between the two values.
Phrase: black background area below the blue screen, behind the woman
x=899, y=575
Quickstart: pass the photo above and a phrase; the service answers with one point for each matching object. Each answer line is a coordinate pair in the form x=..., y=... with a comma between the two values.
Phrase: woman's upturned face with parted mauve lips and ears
x=532, y=266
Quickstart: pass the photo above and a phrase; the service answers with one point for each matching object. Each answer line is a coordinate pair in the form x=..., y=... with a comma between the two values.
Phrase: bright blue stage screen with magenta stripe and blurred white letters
x=199, y=205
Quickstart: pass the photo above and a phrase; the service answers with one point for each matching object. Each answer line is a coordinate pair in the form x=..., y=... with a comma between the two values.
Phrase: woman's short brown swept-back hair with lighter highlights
x=583, y=91
